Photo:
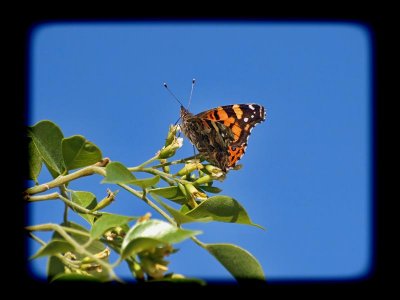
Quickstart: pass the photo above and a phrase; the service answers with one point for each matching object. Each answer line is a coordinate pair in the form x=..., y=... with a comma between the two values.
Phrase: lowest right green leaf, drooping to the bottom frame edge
x=239, y=262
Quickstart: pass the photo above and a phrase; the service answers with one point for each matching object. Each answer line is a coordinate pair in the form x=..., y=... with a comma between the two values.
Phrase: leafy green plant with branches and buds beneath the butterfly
x=77, y=253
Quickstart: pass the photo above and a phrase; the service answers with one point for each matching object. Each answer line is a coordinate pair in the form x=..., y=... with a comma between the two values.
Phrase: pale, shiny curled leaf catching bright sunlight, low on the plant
x=154, y=232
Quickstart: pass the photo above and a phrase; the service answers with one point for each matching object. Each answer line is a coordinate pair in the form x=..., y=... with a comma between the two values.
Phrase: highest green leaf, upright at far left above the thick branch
x=47, y=138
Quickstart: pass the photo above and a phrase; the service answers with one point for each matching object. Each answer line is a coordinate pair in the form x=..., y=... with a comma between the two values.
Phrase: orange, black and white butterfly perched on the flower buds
x=221, y=133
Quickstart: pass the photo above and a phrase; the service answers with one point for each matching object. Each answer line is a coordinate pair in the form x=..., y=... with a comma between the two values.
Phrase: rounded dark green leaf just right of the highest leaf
x=79, y=152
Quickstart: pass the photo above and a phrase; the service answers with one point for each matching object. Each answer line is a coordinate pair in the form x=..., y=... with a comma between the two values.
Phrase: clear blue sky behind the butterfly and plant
x=307, y=171
